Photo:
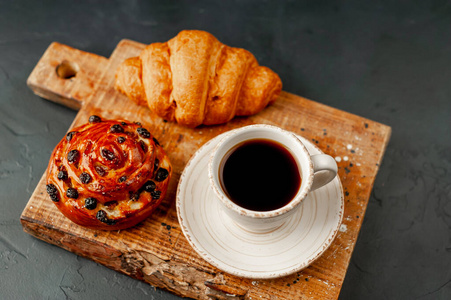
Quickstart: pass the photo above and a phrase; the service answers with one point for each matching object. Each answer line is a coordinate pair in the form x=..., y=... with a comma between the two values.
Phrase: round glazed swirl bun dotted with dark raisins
x=108, y=174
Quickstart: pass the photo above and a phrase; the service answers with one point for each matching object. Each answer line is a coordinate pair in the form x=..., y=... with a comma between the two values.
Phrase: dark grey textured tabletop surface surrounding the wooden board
x=387, y=62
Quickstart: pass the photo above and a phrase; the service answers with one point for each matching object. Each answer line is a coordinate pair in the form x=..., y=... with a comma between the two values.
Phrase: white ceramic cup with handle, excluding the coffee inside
x=315, y=172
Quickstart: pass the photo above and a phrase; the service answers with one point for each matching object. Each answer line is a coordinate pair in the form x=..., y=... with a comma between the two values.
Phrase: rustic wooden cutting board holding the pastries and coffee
x=156, y=250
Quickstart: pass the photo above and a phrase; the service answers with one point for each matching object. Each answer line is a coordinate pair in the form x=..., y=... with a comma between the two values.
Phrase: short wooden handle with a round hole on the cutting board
x=67, y=75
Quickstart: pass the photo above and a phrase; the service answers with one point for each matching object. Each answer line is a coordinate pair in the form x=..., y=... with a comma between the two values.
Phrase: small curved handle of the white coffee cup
x=324, y=168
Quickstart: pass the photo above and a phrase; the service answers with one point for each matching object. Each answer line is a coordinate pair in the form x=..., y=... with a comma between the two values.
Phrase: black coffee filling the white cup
x=260, y=175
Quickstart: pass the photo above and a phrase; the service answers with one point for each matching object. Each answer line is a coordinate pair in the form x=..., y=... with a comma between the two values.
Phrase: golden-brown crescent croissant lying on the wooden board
x=194, y=79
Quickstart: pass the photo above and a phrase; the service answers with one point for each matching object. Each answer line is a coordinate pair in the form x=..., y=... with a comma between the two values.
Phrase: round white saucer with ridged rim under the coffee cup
x=225, y=245
